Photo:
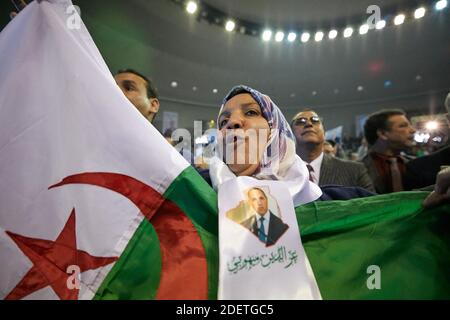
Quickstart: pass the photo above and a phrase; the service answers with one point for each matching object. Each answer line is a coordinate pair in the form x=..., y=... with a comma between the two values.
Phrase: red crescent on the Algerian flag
x=184, y=272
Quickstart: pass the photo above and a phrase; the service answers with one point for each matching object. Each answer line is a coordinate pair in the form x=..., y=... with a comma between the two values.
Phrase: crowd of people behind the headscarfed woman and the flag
x=386, y=159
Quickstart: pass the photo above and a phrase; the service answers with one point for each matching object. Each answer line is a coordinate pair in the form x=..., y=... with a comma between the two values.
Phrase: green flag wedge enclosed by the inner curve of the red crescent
x=135, y=276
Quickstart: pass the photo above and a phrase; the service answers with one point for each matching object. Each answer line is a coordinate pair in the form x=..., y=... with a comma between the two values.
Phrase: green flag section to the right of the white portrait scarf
x=410, y=245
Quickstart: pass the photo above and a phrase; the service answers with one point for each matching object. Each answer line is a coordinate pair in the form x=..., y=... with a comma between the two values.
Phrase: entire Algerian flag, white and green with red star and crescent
x=134, y=217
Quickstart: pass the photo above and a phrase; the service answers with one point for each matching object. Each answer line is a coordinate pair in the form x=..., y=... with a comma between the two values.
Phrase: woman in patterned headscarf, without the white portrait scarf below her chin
x=245, y=109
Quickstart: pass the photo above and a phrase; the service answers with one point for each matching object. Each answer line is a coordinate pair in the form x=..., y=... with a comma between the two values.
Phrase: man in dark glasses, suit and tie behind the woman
x=323, y=168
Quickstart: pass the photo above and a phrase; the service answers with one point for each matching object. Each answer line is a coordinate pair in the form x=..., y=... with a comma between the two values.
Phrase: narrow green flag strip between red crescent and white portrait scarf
x=199, y=201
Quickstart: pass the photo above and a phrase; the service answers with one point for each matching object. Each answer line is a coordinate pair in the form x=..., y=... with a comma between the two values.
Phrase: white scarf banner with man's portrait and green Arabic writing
x=261, y=253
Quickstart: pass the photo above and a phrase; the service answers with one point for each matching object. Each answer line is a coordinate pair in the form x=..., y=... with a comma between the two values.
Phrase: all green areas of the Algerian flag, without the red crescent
x=410, y=245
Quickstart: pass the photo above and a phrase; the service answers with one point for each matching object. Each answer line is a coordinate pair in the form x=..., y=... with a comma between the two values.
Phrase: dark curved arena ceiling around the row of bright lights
x=160, y=39
